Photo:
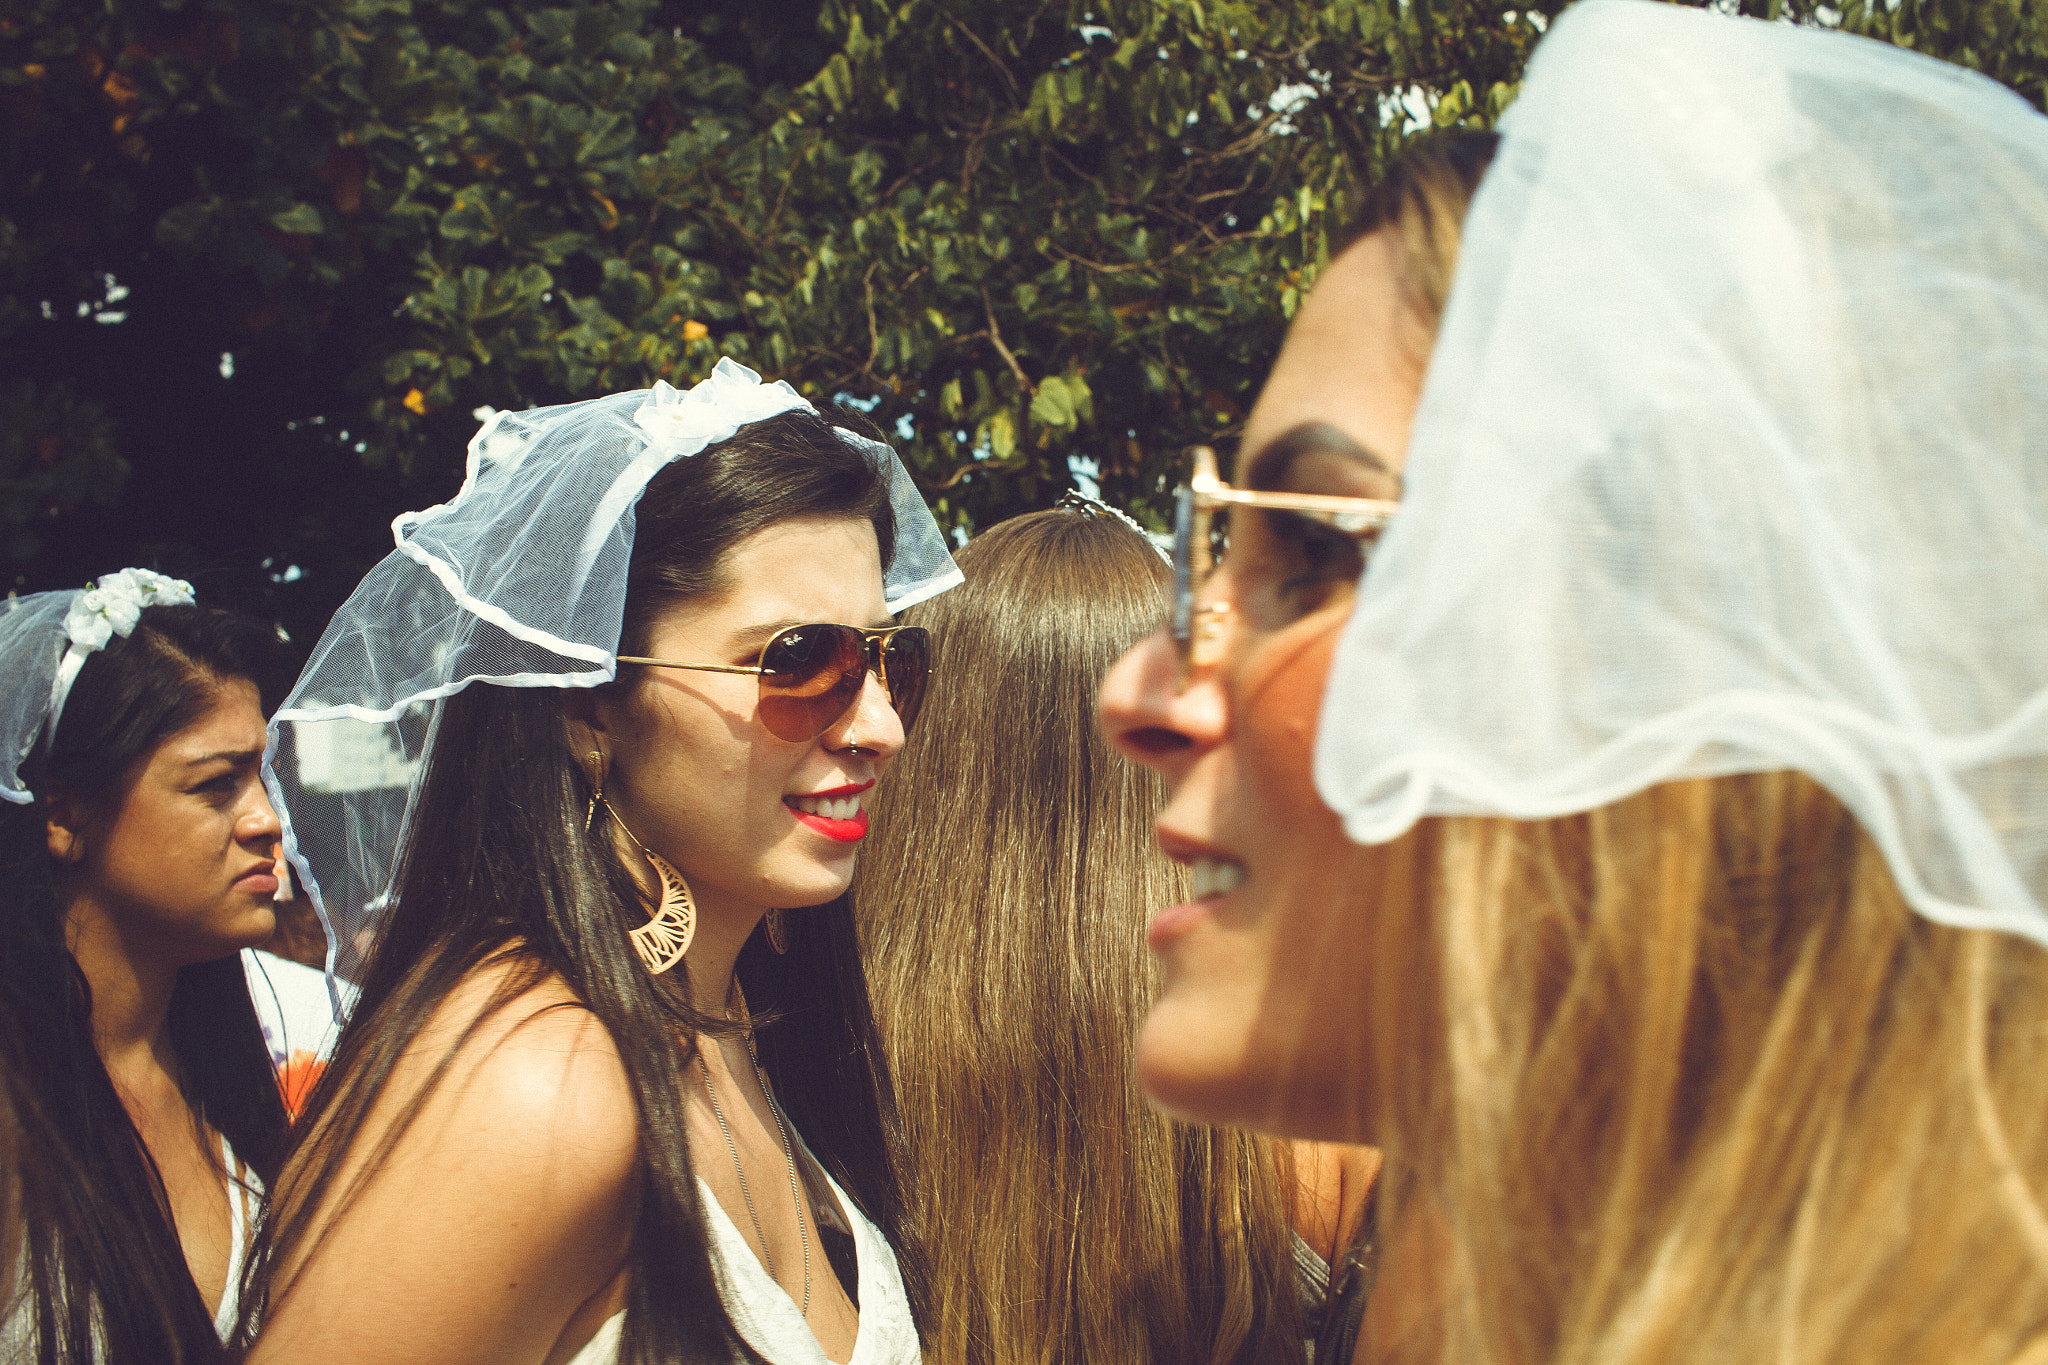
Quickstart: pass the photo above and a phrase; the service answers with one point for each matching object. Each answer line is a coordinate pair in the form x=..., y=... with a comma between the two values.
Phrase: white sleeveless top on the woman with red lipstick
x=769, y=1319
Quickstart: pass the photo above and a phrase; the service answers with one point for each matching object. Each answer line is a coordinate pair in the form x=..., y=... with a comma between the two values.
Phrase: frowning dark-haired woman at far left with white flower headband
x=140, y=858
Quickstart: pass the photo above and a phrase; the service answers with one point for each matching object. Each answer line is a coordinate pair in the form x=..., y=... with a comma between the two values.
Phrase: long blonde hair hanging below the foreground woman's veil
x=1689, y=1082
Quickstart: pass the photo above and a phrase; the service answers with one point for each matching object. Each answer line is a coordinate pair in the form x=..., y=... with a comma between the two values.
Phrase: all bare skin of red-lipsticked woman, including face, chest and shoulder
x=437, y=1262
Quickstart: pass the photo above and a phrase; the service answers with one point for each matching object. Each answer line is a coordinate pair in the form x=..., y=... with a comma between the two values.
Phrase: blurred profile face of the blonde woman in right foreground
x=1258, y=1014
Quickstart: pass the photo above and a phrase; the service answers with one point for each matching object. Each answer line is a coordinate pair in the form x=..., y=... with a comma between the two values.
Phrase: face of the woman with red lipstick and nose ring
x=697, y=777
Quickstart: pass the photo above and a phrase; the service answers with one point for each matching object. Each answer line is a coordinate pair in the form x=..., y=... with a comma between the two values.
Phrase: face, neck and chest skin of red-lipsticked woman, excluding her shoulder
x=697, y=779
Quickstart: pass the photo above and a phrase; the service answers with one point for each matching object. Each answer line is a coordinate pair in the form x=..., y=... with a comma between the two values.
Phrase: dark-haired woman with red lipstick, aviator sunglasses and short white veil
x=611, y=1092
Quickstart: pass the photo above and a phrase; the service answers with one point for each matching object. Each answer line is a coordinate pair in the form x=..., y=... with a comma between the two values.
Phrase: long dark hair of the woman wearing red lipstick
x=499, y=869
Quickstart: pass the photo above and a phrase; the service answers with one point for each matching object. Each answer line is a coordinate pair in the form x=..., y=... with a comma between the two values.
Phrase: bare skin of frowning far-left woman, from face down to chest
x=177, y=871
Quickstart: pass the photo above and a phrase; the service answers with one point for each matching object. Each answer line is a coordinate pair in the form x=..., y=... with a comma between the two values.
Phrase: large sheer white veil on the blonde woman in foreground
x=1732, y=457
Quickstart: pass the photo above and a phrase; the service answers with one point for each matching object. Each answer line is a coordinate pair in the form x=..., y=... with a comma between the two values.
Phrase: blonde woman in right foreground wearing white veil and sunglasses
x=1689, y=728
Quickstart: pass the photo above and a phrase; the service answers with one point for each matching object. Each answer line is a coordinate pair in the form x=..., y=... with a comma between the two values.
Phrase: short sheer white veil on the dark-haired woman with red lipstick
x=519, y=582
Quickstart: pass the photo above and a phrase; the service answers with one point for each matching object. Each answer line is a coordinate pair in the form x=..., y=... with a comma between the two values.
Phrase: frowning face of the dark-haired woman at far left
x=183, y=865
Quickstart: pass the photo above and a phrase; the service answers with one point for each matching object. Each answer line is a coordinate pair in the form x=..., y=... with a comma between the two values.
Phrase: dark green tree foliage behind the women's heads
x=261, y=261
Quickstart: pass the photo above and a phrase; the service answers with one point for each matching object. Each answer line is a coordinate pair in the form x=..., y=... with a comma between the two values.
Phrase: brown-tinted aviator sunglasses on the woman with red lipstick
x=814, y=674
